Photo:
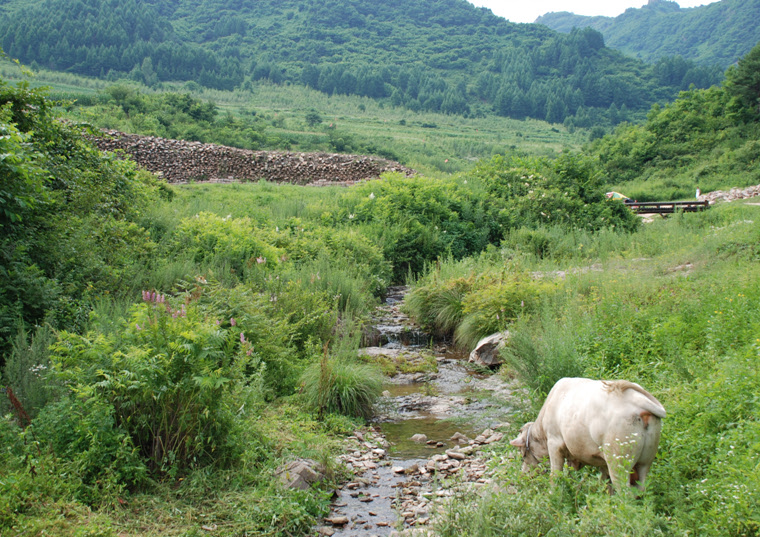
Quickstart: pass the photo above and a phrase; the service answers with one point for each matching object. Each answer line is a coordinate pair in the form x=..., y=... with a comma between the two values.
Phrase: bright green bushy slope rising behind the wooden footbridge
x=706, y=139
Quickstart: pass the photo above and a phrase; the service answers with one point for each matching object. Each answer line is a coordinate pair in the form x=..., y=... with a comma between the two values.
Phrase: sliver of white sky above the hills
x=530, y=10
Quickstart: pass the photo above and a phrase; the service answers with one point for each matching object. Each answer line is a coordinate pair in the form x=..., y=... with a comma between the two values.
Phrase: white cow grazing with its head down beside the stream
x=614, y=425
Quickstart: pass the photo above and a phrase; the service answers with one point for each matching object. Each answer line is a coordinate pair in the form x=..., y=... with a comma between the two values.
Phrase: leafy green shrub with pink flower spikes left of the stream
x=166, y=382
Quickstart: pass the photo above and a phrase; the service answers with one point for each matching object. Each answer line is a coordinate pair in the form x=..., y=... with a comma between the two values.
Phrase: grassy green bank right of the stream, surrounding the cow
x=672, y=307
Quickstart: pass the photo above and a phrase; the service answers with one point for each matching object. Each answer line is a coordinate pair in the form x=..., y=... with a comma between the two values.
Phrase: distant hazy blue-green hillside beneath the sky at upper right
x=716, y=34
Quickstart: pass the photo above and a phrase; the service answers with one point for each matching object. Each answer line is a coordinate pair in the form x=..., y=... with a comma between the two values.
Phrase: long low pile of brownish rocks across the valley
x=179, y=161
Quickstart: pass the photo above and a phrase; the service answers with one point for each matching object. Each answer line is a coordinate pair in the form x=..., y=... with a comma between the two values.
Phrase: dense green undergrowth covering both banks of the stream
x=171, y=347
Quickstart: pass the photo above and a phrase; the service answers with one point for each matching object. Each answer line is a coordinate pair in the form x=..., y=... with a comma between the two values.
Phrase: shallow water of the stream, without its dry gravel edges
x=437, y=405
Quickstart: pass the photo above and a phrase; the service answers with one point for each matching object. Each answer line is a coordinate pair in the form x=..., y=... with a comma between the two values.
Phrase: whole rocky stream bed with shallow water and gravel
x=451, y=407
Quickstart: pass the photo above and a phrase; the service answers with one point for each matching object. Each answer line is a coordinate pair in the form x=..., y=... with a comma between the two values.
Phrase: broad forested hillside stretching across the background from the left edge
x=432, y=55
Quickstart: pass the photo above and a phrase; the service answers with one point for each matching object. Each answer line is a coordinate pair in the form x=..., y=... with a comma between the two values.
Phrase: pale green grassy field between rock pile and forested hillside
x=431, y=143
